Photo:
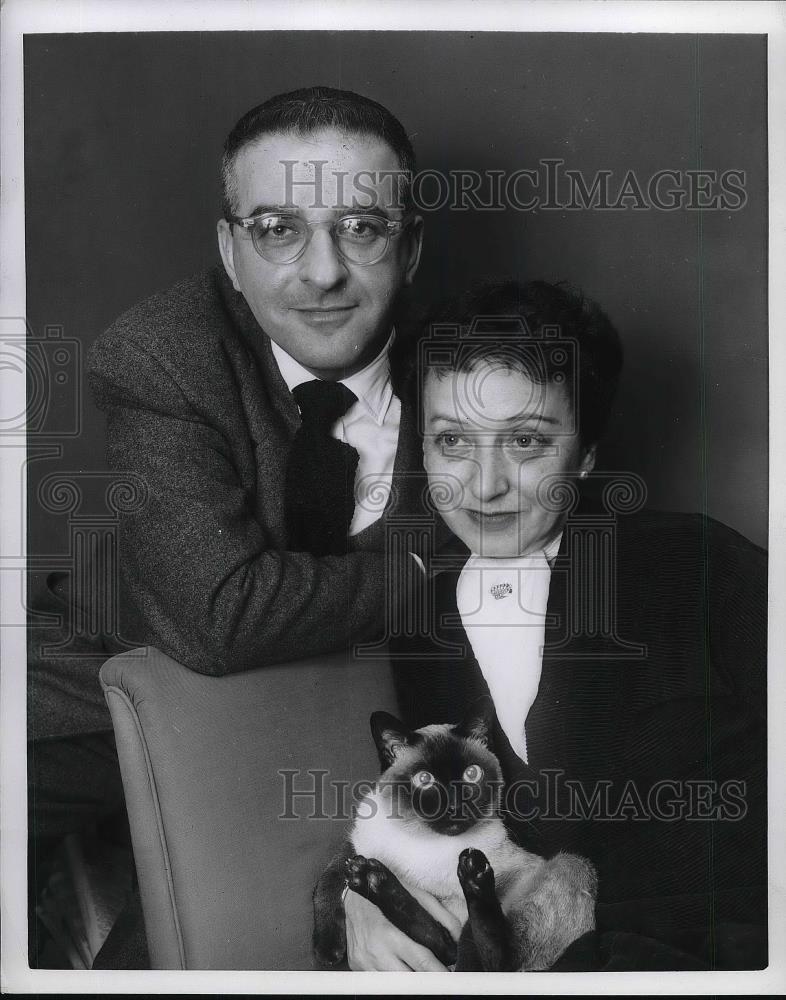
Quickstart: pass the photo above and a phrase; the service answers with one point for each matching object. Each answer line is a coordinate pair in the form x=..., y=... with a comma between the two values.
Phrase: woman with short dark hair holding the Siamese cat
x=624, y=649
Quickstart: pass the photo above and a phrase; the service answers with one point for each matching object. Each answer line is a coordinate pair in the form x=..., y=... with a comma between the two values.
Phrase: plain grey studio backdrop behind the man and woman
x=123, y=133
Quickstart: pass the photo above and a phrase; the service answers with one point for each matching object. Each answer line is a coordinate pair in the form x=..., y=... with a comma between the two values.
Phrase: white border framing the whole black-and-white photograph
x=20, y=17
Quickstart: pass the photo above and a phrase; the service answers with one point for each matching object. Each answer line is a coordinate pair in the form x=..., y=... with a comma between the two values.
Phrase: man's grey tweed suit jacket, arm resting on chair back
x=198, y=412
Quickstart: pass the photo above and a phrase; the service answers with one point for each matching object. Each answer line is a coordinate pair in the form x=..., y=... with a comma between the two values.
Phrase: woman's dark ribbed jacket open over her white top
x=652, y=700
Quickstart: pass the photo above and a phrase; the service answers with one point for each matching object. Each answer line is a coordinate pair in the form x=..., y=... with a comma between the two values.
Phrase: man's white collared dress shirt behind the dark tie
x=370, y=425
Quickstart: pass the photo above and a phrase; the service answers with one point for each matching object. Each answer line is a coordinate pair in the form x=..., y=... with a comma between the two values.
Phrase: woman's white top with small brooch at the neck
x=502, y=603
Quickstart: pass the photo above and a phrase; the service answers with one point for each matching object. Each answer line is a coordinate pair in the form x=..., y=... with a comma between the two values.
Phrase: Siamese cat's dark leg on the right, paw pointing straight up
x=491, y=932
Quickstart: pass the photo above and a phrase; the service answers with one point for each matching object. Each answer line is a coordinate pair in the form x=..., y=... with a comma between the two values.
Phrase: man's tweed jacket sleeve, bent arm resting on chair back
x=207, y=582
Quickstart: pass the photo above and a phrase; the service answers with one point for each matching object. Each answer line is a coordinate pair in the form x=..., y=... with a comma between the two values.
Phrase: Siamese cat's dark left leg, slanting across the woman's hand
x=378, y=884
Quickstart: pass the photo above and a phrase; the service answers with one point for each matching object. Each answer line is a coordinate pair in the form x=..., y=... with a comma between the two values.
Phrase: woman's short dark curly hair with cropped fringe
x=485, y=324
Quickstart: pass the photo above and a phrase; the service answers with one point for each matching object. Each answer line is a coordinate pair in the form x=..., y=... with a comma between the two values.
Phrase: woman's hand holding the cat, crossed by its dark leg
x=375, y=945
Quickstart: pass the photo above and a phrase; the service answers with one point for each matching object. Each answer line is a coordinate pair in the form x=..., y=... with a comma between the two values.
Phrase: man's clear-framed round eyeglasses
x=282, y=239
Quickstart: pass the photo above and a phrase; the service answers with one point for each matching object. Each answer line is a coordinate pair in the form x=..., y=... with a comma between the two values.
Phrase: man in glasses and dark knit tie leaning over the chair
x=255, y=404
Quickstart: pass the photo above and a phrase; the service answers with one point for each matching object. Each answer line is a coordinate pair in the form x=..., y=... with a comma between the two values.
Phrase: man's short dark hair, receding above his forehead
x=305, y=111
